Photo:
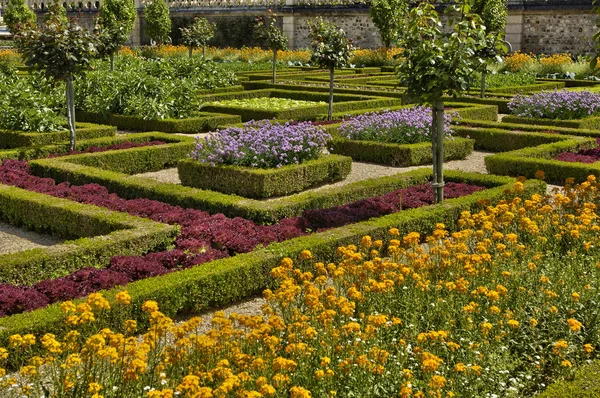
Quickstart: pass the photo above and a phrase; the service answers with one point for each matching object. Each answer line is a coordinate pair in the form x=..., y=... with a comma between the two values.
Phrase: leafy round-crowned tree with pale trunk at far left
x=62, y=50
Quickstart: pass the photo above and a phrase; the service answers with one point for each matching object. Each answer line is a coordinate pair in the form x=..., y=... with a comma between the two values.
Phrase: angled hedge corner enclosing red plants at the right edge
x=526, y=162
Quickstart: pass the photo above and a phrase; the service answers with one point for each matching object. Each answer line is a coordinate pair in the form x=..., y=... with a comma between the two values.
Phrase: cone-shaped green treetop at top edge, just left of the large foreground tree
x=389, y=16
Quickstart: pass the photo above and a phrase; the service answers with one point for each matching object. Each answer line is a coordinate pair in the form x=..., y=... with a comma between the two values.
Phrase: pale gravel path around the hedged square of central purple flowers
x=360, y=171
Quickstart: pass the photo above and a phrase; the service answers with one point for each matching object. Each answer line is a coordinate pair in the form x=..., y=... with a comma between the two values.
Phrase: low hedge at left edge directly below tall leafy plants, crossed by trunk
x=14, y=139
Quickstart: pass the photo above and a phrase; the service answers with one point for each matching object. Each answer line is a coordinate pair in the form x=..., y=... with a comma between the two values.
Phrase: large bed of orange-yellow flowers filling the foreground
x=502, y=306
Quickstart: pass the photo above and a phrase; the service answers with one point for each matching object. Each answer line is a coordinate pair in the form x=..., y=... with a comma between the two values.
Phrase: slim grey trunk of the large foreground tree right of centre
x=437, y=144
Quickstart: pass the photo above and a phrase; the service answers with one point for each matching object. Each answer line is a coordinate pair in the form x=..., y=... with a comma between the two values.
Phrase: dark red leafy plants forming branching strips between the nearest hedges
x=203, y=238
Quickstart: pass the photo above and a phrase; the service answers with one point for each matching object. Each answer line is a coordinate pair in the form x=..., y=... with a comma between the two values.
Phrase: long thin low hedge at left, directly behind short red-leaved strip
x=36, y=152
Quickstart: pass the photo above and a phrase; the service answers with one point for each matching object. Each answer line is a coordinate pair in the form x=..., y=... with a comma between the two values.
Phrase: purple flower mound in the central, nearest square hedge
x=262, y=144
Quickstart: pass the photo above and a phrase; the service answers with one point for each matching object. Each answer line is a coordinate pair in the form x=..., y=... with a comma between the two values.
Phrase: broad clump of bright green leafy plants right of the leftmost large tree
x=151, y=89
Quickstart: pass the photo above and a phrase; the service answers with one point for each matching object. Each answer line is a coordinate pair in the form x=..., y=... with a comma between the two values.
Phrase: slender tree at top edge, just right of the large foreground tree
x=493, y=15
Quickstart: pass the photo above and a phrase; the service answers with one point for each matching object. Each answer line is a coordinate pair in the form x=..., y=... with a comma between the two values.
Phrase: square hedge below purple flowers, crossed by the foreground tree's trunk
x=399, y=155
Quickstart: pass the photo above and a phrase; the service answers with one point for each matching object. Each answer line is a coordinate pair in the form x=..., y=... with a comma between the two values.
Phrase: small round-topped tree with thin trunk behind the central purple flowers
x=330, y=49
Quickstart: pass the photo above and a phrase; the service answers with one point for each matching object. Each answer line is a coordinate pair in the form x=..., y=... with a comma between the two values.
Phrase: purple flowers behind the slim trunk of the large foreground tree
x=405, y=126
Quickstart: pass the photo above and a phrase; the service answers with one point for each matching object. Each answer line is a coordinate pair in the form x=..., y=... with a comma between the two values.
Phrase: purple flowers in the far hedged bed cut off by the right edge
x=564, y=105
